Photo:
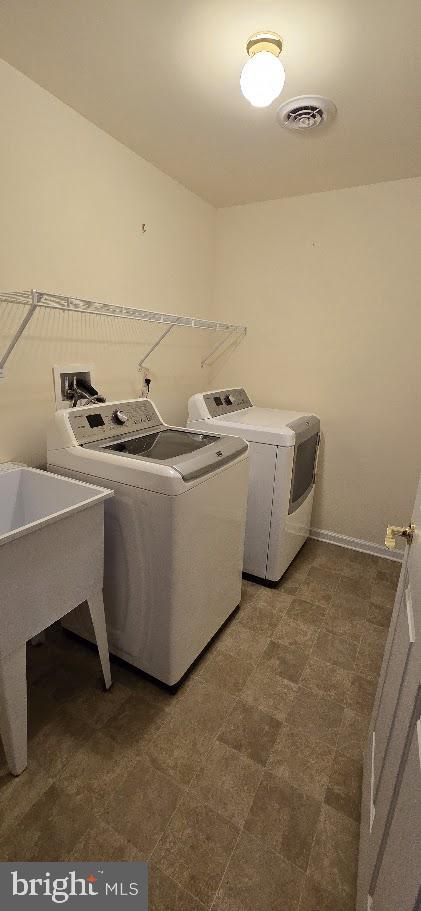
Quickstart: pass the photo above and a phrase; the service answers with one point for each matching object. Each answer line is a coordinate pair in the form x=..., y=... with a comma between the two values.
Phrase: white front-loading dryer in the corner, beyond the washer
x=283, y=448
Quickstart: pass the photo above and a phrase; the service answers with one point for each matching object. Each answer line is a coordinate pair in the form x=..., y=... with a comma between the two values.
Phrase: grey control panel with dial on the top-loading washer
x=93, y=423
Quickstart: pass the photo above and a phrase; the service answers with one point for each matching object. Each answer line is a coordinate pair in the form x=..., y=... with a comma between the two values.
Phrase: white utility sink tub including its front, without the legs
x=51, y=549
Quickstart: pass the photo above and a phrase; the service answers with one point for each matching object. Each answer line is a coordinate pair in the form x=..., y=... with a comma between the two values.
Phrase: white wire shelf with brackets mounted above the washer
x=35, y=300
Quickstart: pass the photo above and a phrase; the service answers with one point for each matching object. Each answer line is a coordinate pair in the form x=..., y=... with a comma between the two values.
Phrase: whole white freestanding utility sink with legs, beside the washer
x=51, y=560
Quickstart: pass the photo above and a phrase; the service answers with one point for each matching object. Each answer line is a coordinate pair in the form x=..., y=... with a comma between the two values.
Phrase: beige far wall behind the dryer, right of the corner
x=329, y=286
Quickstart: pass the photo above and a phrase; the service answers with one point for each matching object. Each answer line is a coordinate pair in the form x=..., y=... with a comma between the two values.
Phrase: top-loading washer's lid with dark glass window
x=192, y=454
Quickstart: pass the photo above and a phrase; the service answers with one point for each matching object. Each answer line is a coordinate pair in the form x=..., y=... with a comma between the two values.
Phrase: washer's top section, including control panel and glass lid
x=89, y=440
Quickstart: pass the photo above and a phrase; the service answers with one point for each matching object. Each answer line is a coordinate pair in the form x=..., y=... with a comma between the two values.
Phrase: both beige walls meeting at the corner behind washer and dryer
x=327, y=283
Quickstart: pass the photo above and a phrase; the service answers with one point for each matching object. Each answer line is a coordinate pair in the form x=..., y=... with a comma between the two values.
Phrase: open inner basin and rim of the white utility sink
x=31, y=499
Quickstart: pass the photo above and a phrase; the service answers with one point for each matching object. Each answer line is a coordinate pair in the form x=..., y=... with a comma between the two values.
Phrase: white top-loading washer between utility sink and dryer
x=174, y=530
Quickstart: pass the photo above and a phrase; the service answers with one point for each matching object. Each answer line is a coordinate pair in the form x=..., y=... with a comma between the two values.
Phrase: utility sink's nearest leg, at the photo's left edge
x=13, y=713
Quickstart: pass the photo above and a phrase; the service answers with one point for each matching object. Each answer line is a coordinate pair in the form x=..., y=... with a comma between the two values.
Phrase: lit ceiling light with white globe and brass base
x=263, y=76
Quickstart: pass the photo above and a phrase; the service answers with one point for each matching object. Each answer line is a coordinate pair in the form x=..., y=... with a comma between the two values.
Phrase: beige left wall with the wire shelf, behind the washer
x=72, y=204
